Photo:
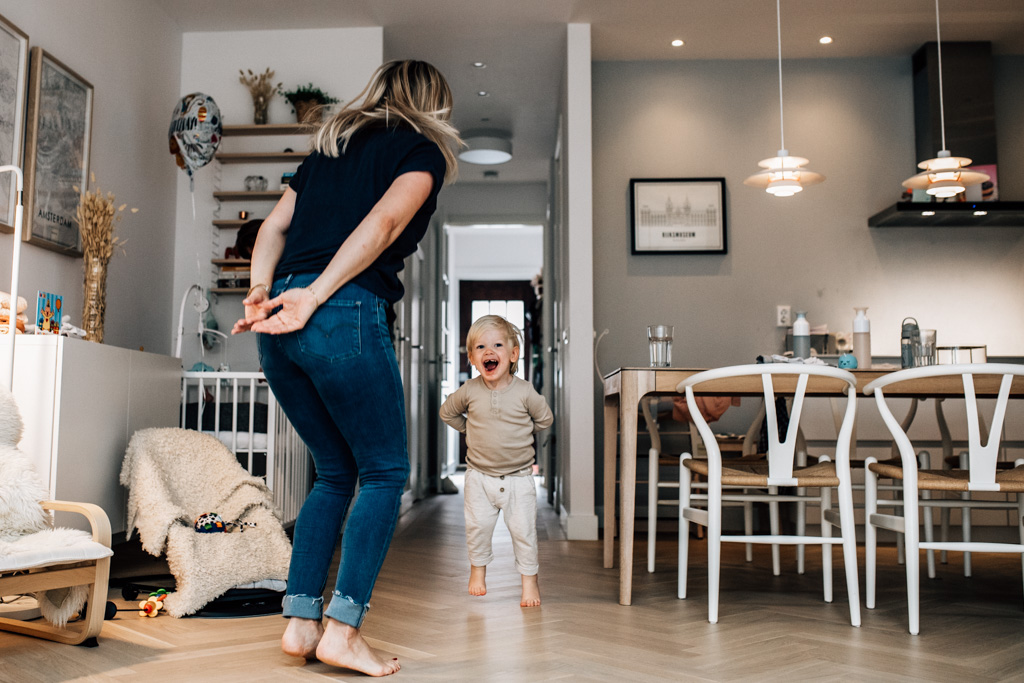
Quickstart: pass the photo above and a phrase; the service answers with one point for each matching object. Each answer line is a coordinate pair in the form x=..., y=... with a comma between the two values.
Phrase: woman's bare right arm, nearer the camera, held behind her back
x=374, y=234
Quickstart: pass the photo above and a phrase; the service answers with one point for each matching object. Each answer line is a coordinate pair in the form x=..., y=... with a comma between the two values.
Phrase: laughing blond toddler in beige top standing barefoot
x=499, y=413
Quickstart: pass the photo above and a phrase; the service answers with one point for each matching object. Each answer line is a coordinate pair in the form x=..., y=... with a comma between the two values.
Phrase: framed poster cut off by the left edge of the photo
x=14, y=77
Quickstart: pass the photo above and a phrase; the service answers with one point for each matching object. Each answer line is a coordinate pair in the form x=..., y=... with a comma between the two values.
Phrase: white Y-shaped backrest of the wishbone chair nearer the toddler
x=784, y=379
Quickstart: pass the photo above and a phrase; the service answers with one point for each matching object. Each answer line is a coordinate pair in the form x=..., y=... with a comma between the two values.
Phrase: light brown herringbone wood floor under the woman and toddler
x=772, y=629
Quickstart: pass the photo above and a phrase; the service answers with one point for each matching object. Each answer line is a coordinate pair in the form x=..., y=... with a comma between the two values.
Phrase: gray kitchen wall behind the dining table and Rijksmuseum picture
x=854, y=119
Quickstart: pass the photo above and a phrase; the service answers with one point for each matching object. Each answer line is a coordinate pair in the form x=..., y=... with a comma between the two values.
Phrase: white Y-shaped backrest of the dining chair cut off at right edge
x=982, y=457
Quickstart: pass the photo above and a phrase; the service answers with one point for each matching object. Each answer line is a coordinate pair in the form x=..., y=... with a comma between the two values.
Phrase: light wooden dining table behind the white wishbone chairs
x=626, y=387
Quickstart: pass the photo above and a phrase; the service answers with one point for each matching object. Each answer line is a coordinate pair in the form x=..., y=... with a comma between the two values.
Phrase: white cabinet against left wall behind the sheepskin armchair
x=81, y=403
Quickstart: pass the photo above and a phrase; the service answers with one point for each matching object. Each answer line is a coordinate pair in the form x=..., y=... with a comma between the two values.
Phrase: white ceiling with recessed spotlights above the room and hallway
x=523, y=44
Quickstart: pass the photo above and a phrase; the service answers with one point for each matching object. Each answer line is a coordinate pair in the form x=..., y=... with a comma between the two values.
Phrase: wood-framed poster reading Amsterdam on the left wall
x=57, y=153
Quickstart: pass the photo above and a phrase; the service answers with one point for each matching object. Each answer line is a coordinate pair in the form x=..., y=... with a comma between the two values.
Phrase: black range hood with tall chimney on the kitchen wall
x=970, y=112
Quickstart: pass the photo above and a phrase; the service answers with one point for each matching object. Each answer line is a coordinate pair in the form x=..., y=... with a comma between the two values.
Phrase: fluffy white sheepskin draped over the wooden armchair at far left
x=28, y=539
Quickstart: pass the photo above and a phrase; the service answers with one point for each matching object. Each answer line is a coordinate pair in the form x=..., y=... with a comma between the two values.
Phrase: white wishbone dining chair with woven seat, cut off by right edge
x=982, y=474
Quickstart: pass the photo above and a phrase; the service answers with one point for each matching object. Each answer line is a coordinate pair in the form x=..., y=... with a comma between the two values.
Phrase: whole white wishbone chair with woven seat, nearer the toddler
x=779, y=471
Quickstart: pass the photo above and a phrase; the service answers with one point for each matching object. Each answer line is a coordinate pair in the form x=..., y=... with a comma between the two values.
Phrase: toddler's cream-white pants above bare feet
x=516, y=496
